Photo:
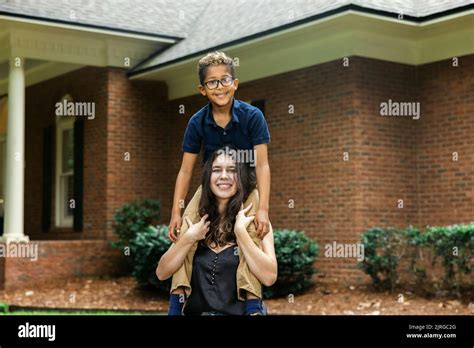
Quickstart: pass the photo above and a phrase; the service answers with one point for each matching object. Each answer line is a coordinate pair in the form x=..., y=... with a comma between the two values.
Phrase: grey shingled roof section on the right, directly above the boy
x=224, y=23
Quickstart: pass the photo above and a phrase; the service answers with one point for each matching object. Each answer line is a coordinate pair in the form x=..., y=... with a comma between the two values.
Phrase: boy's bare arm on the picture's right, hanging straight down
x=262, y=220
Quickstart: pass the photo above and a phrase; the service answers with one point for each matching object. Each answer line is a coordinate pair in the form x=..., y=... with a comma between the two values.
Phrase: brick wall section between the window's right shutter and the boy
x=137, y=142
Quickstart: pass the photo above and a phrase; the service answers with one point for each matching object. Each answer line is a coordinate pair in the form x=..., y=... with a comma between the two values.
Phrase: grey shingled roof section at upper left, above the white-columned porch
x=166, y=18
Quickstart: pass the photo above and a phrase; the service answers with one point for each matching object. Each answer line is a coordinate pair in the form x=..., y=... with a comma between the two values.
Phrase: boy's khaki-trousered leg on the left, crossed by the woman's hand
x=182, y=277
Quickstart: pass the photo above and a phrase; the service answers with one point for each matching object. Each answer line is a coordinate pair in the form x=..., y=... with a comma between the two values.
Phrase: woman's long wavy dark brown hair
x=221, y=228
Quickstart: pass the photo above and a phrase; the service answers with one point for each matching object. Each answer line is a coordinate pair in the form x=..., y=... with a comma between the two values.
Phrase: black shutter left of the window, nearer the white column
x=47, y=177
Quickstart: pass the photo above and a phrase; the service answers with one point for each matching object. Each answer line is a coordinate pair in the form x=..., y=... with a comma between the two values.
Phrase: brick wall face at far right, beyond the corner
x=446, y=187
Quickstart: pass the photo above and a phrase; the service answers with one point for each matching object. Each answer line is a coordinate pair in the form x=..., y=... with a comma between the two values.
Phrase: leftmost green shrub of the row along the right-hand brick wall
x=383, y=249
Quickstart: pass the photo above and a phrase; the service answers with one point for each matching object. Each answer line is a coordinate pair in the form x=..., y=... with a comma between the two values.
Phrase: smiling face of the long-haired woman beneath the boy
x=223, y=177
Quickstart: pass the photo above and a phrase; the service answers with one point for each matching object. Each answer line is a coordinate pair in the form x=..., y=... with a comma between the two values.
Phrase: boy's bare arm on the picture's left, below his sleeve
x=180, y=191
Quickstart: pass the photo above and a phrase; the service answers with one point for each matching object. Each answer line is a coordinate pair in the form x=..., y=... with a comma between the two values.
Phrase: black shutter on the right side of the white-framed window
x=78, y=173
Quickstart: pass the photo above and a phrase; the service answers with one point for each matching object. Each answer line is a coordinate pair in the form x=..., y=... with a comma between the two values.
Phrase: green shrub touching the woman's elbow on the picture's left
x=146, y=250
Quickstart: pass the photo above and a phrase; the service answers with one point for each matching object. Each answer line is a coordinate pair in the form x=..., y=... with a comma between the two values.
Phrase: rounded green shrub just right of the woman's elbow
x=295, y=254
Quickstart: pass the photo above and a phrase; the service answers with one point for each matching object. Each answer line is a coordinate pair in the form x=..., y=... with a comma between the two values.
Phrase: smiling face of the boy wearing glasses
x=222, y=95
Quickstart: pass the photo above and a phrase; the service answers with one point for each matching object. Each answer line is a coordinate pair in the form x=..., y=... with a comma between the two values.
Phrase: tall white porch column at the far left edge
x=15, y=159
